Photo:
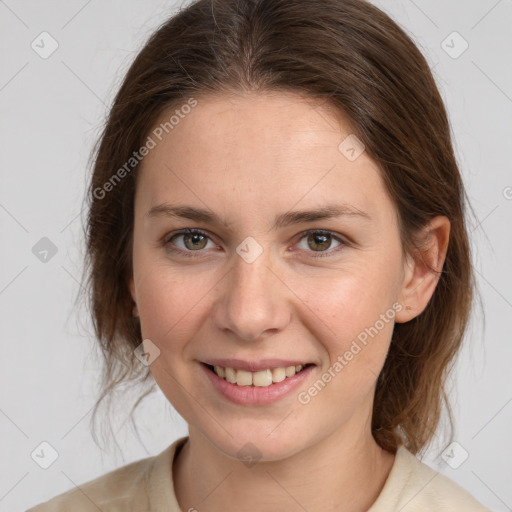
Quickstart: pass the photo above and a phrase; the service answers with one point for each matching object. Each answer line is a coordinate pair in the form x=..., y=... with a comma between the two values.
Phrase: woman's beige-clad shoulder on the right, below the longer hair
x=412, y=486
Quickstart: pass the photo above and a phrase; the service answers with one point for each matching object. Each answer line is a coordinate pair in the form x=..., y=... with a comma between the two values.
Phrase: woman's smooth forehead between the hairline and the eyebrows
x=260, y=151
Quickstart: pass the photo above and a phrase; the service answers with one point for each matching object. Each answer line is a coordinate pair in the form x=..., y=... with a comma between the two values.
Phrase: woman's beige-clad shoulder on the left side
x=125, y=488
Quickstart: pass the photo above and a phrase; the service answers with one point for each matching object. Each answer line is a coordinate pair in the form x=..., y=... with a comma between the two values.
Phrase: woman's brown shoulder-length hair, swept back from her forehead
x=355, y=58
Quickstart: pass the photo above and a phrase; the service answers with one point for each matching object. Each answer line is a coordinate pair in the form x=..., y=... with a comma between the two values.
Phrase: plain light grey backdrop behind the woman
x=51, y=111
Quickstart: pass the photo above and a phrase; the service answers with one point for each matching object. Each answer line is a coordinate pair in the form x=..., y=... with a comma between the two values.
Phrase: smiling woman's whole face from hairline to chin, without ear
x=251, y=289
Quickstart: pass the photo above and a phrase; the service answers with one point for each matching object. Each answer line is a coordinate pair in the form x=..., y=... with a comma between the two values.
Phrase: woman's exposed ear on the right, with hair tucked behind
x=423, y=268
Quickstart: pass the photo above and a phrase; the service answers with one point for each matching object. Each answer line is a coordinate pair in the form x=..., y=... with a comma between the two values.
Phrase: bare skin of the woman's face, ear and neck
x=249, y=157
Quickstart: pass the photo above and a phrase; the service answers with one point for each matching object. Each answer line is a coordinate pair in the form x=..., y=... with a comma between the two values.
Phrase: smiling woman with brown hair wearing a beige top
x=276, y=235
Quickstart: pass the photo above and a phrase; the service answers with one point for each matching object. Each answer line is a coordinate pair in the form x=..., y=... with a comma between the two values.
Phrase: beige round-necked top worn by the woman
x=147, y=486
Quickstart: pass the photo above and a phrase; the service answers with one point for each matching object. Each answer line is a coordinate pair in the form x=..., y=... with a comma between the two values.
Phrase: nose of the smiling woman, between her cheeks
x=253, y=303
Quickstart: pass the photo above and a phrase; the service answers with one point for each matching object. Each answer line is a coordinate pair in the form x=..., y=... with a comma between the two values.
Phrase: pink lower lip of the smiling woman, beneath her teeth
x=256, y=395
